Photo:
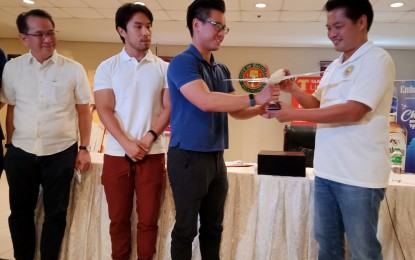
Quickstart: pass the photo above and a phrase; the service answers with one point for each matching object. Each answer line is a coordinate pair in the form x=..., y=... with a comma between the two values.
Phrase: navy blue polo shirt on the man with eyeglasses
x=191, y=128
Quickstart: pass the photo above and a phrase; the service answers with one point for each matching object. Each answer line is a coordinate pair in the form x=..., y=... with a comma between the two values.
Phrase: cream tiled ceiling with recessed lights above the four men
x=283, y=23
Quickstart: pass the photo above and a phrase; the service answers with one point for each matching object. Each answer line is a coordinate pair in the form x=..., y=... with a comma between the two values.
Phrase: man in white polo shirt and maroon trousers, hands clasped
x=133, y=104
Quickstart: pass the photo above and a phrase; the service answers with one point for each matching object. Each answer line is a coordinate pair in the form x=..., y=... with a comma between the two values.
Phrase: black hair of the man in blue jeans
x=354, y=9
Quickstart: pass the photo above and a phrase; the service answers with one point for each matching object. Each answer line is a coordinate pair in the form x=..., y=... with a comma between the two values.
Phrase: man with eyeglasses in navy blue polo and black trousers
x=200, y=102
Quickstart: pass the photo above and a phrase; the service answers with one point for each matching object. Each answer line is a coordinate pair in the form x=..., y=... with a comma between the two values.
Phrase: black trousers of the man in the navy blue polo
x=199, y=184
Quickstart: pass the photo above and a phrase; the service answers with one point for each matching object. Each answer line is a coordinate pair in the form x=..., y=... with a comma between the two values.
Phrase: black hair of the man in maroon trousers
x=126, y=11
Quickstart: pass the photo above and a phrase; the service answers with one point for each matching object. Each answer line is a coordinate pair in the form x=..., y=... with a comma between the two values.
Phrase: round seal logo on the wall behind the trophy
x=250, y=71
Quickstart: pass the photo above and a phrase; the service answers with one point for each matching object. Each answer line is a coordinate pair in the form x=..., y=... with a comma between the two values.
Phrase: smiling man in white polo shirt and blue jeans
x=351, y=160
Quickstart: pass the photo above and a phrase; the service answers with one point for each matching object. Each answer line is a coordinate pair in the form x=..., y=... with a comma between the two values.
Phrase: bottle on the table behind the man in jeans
x=397, y=135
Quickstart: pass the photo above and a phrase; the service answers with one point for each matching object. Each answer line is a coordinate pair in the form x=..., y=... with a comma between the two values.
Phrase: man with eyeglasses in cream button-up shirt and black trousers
x=48, y=99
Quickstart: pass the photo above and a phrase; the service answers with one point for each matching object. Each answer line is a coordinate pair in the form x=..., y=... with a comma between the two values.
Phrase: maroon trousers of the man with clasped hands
x=147, y=179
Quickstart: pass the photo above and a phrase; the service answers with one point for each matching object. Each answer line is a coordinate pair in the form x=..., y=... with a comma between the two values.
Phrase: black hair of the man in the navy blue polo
x=200, y=9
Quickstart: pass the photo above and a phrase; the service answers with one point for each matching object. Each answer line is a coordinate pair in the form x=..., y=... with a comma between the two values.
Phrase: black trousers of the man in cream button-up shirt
x=25, y=173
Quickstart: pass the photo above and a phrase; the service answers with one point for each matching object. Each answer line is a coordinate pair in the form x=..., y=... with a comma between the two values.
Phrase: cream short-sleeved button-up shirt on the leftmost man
x=44, y=97
